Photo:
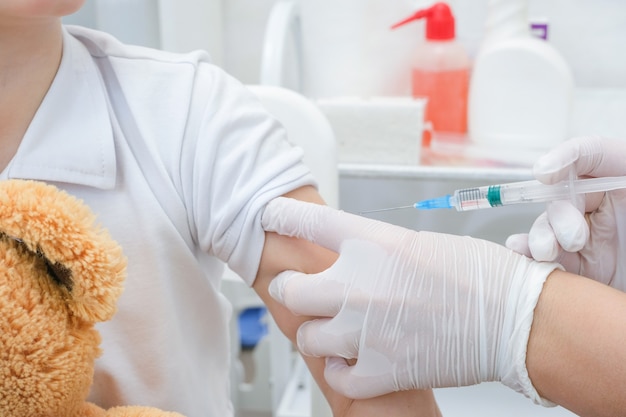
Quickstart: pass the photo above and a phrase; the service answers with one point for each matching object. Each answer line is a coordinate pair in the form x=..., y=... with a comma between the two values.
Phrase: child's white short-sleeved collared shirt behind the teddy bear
x=212, y=159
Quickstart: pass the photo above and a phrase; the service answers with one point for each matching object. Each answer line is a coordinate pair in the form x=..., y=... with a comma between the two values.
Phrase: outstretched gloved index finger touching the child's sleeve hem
x=320, y=224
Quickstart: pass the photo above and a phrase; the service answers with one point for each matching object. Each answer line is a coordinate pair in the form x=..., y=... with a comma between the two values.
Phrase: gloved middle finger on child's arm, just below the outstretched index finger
x=305, y=294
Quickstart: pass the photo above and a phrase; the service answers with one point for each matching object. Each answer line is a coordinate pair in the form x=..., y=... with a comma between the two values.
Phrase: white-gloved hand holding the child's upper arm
x=417, y=309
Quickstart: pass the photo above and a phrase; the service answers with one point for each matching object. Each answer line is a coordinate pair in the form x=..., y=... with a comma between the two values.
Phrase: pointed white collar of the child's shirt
x=70, y=139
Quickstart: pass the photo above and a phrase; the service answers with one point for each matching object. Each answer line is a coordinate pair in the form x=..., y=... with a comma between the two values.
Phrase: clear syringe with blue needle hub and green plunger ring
x=515, y=193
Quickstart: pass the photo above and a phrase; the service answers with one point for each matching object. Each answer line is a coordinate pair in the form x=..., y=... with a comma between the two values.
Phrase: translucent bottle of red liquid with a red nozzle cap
x=441, y=73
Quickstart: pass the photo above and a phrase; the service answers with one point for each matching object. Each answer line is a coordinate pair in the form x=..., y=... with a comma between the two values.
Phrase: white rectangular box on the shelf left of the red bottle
x=383, y=130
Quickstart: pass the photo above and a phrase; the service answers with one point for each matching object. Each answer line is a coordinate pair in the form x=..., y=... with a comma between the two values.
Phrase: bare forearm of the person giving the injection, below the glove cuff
x=576, y=352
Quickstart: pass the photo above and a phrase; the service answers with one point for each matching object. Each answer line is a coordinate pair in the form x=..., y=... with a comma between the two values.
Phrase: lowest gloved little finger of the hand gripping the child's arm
x=340, y=376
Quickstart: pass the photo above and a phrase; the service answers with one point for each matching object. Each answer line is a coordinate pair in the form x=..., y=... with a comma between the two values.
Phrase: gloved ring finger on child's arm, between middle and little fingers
x=324, y=337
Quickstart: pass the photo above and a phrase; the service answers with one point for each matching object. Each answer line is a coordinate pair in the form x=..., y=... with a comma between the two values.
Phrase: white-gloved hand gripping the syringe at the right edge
x=591, y=245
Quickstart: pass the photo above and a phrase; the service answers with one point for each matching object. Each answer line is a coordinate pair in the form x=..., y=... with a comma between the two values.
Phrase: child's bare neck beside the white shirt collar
x=28, y=64
